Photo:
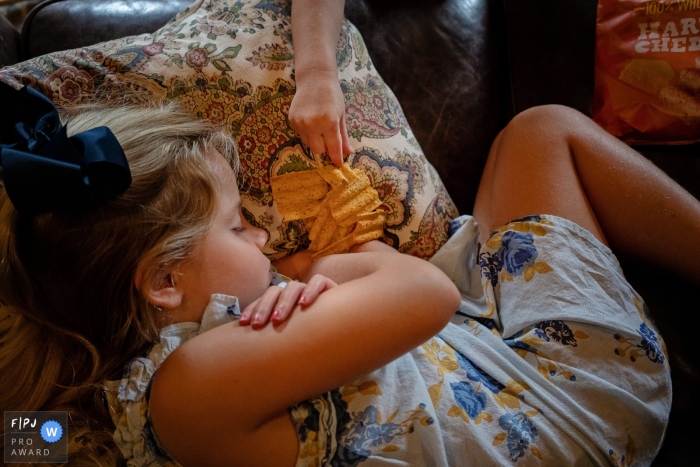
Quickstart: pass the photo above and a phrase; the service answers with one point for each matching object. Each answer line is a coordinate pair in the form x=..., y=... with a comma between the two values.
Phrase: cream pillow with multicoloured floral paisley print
x=231, y=62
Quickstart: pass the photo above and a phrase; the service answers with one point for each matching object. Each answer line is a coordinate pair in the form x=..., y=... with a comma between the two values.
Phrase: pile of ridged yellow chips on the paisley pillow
x=338, y=207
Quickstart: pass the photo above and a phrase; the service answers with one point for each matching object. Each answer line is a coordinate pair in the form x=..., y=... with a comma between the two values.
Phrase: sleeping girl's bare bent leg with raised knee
x=554, y=160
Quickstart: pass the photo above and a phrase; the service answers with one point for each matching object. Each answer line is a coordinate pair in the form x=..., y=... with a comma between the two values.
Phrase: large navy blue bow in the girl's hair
x=45, y=170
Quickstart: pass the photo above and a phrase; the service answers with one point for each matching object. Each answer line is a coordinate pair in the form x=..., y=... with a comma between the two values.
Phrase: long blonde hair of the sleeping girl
x=70, y=313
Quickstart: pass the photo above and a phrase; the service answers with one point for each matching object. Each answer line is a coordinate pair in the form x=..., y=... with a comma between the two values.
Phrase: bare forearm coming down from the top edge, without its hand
x=315, y=30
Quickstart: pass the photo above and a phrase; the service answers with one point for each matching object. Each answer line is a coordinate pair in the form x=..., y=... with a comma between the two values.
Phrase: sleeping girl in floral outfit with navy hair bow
x=165, y=332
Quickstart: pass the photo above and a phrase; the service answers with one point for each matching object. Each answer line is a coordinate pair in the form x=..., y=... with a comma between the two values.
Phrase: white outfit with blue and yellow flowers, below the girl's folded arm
x=552, y=359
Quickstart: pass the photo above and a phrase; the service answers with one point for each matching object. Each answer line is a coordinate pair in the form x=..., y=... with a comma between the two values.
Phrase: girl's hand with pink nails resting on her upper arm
x=277, y=303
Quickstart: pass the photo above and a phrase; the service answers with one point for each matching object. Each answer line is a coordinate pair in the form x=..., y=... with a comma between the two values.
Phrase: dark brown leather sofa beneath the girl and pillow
x=489, y=59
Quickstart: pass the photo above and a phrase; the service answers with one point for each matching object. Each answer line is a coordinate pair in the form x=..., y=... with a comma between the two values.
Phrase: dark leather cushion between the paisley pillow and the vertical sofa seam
x=443, y=61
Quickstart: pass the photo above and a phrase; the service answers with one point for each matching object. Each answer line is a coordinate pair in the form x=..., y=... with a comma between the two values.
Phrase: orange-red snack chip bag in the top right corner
x=647, y=70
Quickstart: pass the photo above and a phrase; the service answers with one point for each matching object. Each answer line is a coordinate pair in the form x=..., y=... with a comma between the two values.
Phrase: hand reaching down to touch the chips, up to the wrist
x=317, y=114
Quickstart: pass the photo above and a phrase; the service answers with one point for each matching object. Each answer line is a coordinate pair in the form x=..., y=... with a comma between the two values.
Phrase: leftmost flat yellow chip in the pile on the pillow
x=299, y=194
